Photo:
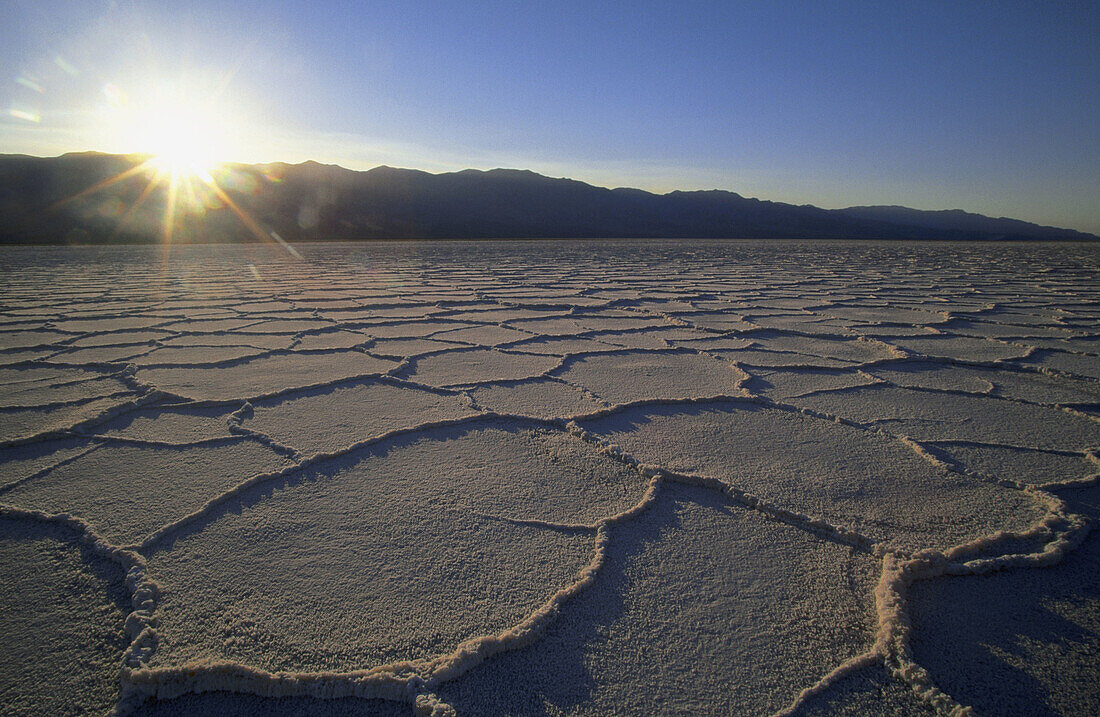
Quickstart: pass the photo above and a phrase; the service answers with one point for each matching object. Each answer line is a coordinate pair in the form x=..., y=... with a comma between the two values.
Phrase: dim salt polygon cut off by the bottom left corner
x=62, y=624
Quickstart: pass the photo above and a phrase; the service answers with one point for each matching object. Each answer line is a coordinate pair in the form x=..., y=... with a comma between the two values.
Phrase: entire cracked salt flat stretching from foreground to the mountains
x=551, y=479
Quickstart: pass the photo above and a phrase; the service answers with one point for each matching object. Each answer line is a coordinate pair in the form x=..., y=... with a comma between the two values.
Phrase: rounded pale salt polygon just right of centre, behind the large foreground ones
x=628, y=378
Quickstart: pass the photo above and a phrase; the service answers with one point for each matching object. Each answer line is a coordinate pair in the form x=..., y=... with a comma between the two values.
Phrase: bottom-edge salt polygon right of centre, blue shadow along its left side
x=702, y=609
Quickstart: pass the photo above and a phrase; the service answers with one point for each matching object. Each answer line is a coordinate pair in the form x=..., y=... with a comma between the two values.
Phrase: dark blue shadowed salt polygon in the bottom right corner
x=1039, y=657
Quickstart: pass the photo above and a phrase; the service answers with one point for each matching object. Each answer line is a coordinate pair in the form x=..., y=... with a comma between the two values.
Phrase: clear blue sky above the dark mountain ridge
x=991, y=107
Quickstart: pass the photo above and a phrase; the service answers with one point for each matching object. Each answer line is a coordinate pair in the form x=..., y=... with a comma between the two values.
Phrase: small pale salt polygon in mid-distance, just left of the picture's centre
x=478, y=366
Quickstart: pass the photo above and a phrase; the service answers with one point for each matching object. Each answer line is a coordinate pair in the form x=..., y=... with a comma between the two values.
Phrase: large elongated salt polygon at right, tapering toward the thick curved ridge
x=856, y=479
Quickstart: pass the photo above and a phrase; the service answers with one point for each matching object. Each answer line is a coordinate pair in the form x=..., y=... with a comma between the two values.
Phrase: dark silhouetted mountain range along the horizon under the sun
x=60, y=201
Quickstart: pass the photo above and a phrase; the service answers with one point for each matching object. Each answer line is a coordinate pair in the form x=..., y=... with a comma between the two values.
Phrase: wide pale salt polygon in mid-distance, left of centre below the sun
x=266, y=376
